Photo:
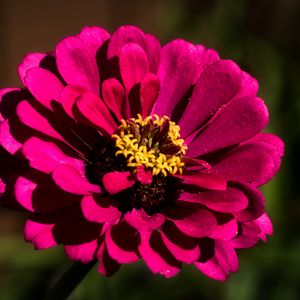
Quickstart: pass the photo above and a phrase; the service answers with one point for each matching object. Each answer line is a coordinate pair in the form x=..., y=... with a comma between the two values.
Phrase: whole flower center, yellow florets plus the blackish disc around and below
x=153, y=143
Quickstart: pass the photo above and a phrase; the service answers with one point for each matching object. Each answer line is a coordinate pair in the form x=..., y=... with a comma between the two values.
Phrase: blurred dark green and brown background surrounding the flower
x=263, y=36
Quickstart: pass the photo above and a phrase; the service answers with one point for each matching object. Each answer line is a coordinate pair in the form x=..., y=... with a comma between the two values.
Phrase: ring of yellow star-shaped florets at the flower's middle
x=153, y=143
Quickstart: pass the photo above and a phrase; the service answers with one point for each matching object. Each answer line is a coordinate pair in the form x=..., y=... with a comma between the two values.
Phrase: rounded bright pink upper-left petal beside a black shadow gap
x=43, y=85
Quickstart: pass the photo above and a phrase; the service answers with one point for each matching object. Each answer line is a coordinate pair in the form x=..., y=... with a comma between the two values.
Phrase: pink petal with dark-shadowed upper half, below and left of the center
x=121, y=243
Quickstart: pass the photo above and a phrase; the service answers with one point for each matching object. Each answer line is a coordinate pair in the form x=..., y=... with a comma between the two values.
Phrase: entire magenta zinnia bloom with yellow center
x=121, y=150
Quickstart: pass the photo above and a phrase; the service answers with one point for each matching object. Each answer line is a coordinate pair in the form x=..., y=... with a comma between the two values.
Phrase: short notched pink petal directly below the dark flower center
x=143, y=222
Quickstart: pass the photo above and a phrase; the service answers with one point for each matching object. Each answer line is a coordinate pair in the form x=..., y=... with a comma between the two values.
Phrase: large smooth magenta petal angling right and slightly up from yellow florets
x=238, y=121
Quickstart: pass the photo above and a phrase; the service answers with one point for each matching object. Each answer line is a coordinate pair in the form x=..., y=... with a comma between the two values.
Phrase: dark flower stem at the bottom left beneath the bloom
x=67, y=283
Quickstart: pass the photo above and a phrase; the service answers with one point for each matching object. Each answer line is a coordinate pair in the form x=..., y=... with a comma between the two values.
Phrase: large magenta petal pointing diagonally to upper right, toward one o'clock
x=218, y=84
